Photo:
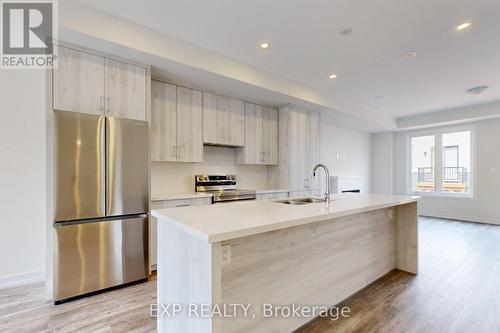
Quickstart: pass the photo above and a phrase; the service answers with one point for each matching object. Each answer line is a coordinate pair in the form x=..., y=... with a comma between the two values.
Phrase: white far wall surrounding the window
x=484, y=207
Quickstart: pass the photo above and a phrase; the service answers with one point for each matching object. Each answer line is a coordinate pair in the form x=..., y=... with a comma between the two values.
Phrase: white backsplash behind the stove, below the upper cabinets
x=178, y=178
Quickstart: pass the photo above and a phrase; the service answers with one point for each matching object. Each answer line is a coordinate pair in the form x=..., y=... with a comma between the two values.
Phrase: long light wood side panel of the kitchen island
x=316, y=264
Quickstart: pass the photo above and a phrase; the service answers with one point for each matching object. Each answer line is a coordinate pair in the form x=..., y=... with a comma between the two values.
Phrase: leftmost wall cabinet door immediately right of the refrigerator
x=163, y=121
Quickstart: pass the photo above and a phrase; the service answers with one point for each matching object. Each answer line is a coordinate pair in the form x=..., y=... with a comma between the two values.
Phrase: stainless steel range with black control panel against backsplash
x=223, y=188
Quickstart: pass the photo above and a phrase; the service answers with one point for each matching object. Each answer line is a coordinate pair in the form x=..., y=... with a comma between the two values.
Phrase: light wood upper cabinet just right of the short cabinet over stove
x=261, y=136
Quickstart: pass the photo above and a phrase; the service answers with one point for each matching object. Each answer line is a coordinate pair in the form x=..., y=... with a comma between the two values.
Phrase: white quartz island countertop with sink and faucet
x=224, y=221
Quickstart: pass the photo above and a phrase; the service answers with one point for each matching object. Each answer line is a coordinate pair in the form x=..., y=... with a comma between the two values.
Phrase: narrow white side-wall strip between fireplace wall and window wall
x=382, y=163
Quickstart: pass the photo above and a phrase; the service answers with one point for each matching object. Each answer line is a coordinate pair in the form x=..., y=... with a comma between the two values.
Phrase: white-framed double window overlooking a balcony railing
x=440, y=163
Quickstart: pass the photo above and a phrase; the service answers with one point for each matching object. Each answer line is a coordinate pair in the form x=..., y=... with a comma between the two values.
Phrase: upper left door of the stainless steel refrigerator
x=78, y=166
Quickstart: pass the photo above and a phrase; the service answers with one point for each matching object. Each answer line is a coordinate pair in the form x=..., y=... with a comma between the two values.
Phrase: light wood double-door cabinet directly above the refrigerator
x=88, y=83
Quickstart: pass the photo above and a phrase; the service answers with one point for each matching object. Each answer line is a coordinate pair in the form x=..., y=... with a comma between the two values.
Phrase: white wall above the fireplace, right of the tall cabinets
x=346, y=152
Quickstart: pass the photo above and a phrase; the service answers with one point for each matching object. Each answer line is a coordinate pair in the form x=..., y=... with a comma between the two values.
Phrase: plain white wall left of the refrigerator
x=22, y=172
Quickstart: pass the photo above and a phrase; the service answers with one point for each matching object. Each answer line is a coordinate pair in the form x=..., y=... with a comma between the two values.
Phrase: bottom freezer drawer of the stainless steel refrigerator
x=97, y=255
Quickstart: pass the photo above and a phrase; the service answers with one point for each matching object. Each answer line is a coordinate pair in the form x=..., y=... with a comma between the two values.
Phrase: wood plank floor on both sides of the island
x=457, y=290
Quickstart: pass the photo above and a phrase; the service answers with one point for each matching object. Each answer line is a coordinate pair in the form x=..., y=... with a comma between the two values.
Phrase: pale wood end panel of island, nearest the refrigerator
x=191, y=275
